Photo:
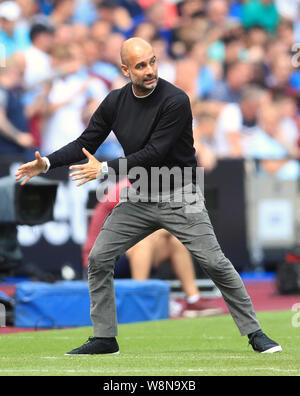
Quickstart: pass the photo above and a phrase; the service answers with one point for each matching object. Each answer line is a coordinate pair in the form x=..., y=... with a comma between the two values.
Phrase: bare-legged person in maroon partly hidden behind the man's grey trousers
x=146, y=256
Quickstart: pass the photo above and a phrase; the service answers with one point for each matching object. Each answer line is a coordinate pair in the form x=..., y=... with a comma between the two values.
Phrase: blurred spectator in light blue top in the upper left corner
x=13, y=35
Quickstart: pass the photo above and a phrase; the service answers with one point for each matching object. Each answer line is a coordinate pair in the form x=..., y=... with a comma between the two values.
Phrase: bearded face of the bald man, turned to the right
x=142, y=70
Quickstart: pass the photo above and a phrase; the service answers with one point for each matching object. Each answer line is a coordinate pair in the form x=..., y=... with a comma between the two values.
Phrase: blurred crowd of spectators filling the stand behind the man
x=237, y=61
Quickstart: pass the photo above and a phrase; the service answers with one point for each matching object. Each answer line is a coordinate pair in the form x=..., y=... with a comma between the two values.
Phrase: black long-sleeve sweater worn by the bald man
x=154, y=131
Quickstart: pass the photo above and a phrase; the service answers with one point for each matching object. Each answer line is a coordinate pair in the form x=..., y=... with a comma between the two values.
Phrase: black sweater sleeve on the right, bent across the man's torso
x=174, y=118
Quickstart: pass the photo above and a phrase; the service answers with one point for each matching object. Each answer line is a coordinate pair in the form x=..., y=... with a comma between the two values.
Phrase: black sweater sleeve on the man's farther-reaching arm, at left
x=94, y=135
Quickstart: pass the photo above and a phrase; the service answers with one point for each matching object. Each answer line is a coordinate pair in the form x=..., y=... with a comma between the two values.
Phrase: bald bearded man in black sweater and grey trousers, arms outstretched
x=152, y=120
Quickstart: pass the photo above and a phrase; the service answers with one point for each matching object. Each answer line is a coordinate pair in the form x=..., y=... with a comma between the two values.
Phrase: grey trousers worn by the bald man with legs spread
x=188, y=220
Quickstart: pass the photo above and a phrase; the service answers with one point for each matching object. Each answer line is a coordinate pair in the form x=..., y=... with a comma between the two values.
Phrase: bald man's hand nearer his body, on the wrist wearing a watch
x=86, y=172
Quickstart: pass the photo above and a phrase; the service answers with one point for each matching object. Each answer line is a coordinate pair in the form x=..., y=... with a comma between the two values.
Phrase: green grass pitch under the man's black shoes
x=183, y=347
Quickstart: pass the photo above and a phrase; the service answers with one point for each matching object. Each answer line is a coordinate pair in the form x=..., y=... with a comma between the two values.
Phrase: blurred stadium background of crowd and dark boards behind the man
x=237, y=60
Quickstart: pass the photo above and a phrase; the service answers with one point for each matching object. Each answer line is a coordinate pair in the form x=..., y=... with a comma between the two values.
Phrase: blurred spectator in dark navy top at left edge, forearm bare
x=14, y=136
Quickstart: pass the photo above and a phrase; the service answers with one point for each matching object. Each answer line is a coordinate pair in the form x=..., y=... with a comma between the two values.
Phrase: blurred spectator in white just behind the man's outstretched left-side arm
x=68, y=97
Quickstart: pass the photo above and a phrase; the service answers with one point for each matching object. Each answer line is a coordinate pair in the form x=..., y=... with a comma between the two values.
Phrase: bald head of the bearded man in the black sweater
x=139, y=63
